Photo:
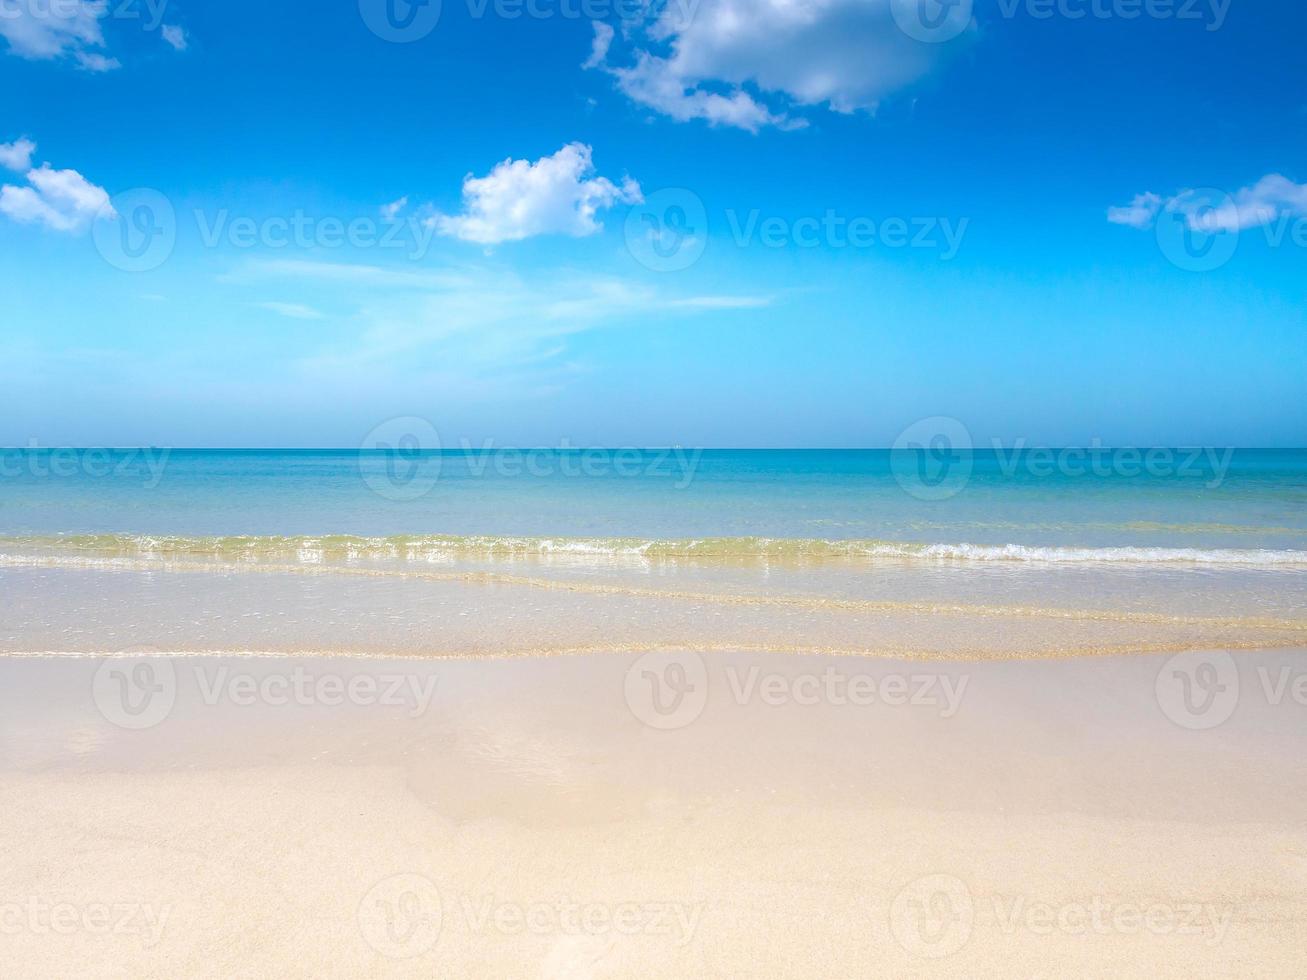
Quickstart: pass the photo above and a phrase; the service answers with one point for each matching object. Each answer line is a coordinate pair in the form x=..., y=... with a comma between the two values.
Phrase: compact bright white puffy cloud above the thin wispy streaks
x=518, y=199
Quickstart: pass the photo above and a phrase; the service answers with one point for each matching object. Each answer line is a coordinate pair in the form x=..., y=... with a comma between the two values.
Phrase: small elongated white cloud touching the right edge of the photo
x=1271, y=199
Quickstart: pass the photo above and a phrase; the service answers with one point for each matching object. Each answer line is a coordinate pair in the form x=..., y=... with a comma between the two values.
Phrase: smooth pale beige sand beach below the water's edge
x=654, y=815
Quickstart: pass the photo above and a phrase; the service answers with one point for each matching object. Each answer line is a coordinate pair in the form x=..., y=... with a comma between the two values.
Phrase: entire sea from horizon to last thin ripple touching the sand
x=910, y=553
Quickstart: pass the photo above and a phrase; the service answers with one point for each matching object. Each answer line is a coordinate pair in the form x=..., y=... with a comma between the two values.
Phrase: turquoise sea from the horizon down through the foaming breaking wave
x=1238, y=506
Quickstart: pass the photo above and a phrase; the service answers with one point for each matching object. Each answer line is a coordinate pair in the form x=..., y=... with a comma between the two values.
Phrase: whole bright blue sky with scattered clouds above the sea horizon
x=538, y=284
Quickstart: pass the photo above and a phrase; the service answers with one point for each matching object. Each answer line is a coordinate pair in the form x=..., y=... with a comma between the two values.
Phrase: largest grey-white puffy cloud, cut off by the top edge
x=753, y=63
